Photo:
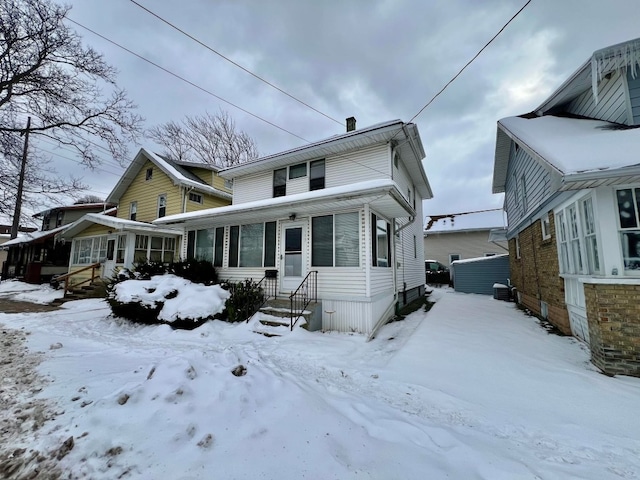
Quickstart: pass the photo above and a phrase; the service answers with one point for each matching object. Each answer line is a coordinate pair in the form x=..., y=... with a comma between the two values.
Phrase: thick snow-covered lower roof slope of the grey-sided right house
x=572, y=145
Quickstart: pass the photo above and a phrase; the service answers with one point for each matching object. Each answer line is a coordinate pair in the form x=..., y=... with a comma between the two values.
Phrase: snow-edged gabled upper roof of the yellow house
x=172, y=169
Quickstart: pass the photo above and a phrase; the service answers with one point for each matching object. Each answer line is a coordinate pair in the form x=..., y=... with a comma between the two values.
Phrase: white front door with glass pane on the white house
x=293, y=257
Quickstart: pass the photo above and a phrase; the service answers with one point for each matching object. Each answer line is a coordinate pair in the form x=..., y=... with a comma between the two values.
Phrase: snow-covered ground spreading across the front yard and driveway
x=473, y=389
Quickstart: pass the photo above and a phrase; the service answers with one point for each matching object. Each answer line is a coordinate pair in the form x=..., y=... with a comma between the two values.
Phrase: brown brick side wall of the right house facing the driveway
x=536, y=274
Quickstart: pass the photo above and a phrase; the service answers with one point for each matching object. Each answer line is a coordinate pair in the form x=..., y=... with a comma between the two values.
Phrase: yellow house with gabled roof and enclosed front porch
x=152, y=187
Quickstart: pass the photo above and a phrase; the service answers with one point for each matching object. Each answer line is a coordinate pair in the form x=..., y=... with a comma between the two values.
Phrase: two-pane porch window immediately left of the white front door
x=252, y=245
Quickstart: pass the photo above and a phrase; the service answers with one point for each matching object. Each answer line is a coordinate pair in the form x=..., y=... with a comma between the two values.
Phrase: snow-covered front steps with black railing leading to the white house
x=274, y=318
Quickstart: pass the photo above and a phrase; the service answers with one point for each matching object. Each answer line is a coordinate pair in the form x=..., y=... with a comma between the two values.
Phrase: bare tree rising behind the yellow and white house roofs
x=212, y=139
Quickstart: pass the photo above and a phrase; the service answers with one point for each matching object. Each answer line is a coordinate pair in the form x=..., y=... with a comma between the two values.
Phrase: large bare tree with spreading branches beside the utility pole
x=67, y=89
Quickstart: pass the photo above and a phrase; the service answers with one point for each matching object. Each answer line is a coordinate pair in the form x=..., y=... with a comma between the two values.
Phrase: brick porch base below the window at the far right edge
x=613, y=312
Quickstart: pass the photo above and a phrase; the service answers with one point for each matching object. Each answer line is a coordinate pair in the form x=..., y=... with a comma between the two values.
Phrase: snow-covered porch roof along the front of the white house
x=384, y=194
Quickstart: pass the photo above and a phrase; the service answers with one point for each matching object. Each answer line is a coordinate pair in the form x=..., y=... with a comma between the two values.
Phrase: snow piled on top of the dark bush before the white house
x=181, y=298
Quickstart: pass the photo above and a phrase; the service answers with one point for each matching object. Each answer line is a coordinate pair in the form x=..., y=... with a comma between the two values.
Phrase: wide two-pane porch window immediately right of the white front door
x=335, y=240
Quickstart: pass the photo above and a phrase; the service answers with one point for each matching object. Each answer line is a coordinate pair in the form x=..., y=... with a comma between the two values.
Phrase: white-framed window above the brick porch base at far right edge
x=628, y=200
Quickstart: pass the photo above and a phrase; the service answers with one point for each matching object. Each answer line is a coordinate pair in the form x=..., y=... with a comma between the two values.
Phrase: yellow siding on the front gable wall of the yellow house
x=146, y=192
